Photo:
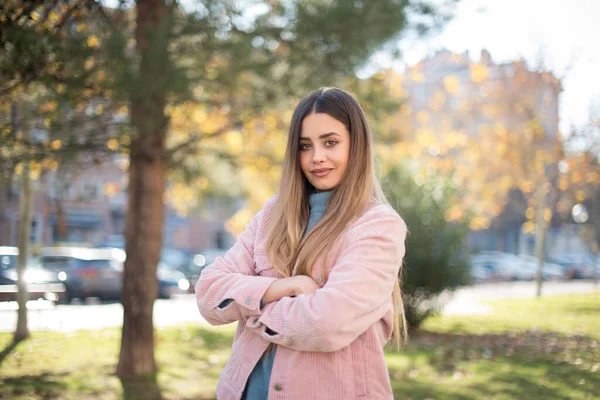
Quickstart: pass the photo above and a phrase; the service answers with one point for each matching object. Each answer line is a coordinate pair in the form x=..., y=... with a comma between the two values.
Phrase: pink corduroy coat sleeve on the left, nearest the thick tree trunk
x=229, y=289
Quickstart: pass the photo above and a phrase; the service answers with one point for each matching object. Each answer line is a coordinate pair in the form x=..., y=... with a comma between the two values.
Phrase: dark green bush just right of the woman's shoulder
x=436, y=252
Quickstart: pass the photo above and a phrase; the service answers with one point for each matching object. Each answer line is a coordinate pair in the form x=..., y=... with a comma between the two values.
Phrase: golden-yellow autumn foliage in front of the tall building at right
x=489, y=129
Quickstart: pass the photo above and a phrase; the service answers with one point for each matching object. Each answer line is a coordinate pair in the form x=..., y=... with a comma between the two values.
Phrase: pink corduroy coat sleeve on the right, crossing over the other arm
x=357, y=293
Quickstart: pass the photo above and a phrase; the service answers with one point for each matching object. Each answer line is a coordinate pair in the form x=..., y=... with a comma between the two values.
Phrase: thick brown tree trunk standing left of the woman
x=147, y=177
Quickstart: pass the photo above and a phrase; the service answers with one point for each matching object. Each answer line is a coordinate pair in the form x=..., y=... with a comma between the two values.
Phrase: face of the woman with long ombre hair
x=324, y=151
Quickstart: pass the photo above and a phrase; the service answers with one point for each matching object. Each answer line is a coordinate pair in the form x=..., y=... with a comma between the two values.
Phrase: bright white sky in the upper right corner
x=565, y=32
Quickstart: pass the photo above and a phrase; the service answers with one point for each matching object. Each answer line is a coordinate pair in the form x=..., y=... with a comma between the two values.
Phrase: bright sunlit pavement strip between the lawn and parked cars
x=182, y=308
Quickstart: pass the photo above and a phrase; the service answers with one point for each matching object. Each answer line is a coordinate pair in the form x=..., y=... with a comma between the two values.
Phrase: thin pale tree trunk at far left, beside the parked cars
x=24, y=233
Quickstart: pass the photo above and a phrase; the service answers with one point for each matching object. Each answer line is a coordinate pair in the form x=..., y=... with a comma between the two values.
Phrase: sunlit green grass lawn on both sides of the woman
x=528, y=349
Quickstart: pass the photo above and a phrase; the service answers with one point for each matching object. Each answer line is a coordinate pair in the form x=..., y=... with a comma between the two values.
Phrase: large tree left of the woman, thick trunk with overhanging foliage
x=149, y=60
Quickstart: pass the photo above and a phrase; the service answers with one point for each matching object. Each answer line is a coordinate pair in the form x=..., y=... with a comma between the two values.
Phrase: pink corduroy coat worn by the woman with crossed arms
x=330, y=342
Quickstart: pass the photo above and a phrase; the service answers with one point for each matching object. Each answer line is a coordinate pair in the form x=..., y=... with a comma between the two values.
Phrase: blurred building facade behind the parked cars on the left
x=88, y=205
